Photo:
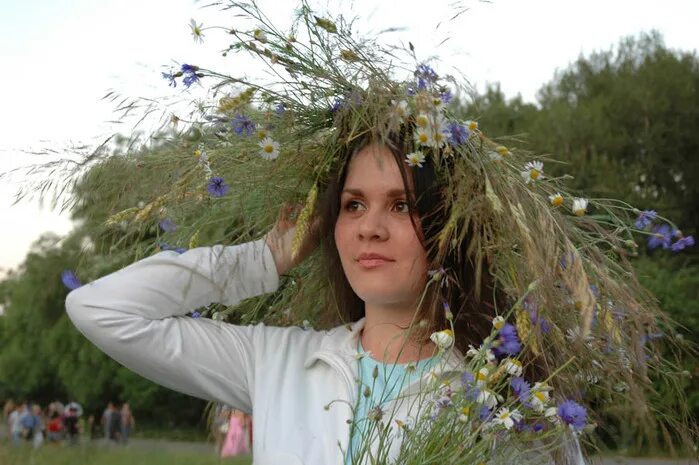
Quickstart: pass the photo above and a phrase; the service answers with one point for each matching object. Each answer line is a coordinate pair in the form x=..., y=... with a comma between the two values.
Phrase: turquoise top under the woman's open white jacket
x=390, y=380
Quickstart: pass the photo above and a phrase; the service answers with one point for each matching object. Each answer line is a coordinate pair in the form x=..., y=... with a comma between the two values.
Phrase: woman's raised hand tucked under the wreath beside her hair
x=280, y=238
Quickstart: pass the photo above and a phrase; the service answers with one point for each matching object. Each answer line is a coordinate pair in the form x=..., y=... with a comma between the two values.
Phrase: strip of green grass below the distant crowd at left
x=91, y=455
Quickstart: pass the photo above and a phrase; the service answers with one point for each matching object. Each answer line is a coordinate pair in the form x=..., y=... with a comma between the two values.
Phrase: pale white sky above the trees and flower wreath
x=61, y=57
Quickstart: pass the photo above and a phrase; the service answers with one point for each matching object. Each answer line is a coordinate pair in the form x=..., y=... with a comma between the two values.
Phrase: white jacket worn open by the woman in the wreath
x=300, y=385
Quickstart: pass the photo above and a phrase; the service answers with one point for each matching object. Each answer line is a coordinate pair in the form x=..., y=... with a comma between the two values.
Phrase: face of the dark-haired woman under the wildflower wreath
x=381, y=254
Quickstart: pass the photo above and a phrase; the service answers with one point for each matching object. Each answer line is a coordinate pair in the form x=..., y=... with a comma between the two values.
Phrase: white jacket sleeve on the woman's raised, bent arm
x=137, y=316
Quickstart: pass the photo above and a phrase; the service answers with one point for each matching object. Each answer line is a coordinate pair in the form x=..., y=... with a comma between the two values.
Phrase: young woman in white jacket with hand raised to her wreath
x=300, y=385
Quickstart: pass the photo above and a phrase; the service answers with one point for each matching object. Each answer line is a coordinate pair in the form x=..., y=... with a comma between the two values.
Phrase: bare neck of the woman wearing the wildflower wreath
x=390, y=338
